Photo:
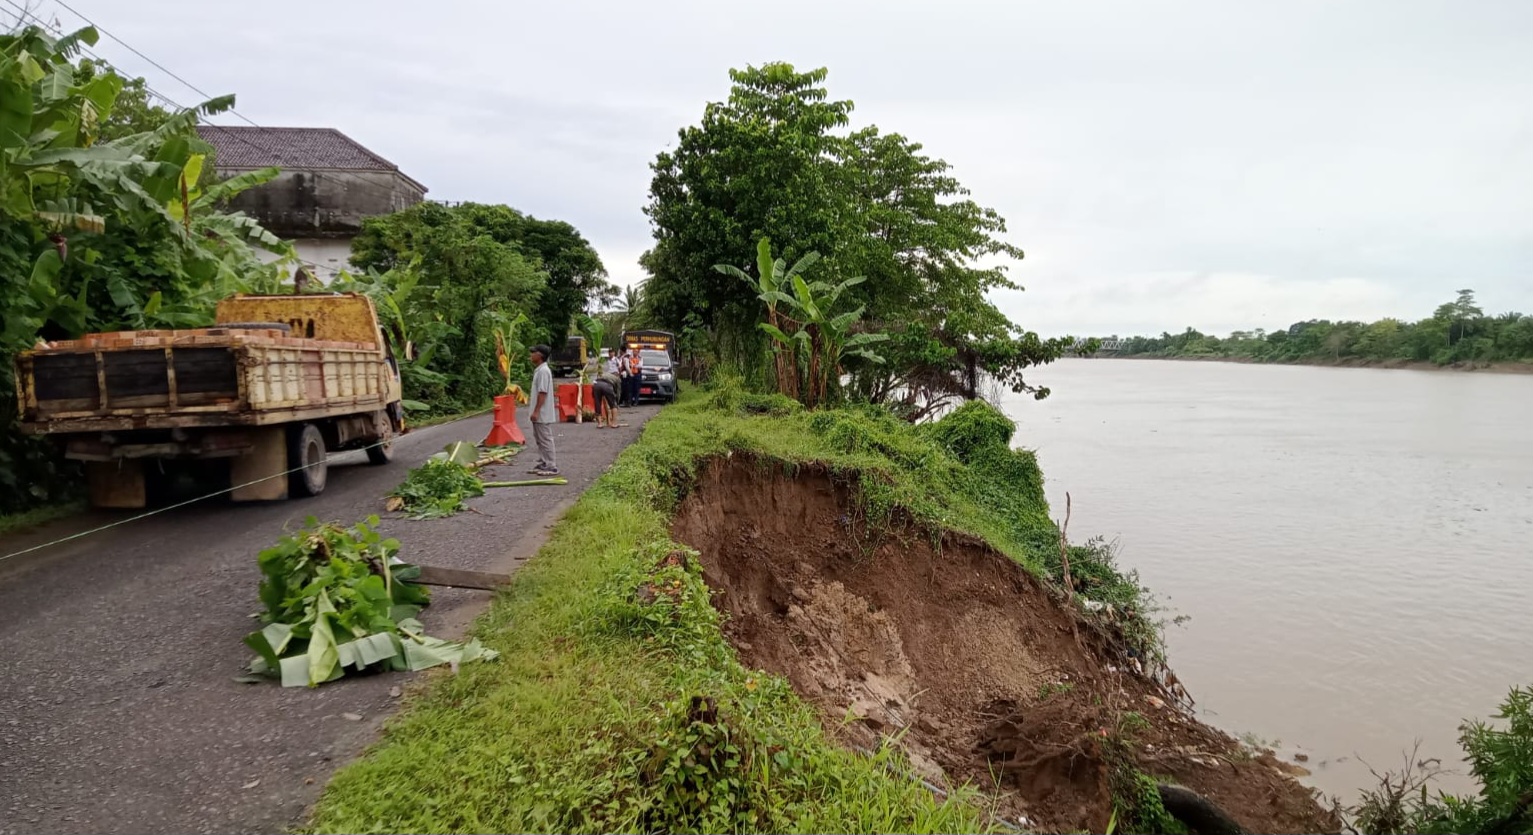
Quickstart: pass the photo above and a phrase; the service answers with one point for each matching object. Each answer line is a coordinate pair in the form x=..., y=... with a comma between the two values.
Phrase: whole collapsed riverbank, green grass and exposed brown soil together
x=732, y=626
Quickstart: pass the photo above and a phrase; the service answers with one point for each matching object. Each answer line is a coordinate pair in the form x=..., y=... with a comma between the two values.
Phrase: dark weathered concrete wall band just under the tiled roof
x=318, y=205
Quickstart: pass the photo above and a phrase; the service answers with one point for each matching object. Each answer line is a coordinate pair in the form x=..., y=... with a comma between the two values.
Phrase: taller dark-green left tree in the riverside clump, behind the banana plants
x=761, y=165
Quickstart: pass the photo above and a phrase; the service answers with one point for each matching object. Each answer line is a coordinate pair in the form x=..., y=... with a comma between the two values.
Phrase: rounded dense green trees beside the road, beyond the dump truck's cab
x=450, y=278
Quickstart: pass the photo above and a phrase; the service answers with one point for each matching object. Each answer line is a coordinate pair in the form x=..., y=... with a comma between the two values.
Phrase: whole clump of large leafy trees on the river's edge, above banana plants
x=772, y=162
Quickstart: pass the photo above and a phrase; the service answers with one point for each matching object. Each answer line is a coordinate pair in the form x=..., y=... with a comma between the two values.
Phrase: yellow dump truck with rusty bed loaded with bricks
x=275, y=385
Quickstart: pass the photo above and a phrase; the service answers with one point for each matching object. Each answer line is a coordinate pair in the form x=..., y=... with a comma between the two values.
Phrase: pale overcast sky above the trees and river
x=1221, y=165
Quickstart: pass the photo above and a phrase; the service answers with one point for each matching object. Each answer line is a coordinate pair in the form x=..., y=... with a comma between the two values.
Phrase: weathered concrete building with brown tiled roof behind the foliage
x=329, y=185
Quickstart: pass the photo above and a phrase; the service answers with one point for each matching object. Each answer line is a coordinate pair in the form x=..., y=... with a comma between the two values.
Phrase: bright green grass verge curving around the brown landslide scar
x=583, y=725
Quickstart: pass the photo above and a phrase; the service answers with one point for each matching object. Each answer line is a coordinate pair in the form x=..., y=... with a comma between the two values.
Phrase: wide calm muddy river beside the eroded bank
x=1354, y=546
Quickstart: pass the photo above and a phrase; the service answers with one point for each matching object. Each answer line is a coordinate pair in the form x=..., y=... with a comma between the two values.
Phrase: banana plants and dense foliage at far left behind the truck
x=107, y=223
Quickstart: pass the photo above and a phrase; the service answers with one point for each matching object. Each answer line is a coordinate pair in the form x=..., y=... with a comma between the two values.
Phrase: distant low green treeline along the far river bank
x=1457, y=333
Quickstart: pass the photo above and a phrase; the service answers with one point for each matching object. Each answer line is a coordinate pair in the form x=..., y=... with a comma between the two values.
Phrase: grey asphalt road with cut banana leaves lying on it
x=119, y=652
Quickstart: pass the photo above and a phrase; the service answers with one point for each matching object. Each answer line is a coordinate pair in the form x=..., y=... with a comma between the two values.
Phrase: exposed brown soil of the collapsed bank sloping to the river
x=991, y=678
